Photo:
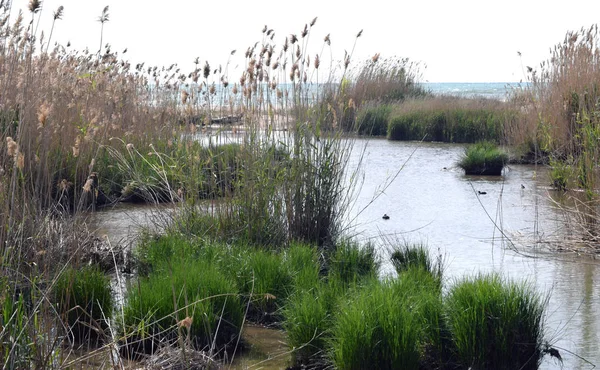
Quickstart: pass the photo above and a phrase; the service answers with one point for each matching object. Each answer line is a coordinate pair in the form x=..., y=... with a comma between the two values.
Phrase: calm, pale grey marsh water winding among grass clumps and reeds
x=512, y=229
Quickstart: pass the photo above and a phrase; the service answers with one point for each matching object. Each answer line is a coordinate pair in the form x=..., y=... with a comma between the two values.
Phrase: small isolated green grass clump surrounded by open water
x=483, y=158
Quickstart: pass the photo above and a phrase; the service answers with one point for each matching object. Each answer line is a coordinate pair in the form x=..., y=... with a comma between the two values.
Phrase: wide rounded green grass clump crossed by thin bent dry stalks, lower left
x=194, y=289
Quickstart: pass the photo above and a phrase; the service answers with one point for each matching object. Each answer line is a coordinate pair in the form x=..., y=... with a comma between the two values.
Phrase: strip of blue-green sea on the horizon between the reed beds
x=491, y=90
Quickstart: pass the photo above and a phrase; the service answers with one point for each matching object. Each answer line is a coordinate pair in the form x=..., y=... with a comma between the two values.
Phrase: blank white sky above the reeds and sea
x=454, y=41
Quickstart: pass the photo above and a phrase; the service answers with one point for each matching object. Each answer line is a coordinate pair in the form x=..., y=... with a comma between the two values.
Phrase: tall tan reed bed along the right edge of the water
x=560, y=105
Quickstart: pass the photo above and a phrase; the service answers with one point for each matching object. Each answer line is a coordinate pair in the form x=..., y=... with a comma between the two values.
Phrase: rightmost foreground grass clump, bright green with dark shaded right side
x=495, y=324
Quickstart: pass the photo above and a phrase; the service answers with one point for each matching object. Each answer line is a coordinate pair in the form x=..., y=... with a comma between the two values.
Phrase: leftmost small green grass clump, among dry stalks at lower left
x=85, y=302
